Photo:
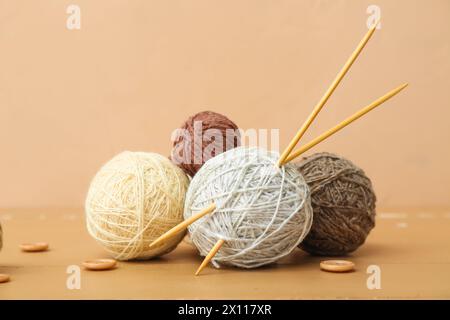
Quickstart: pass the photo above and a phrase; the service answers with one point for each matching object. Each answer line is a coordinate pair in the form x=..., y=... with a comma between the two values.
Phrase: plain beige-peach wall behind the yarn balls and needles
x=70, y=100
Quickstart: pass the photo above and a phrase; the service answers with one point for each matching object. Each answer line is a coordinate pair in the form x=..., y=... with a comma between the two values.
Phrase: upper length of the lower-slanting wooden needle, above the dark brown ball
x=345, y=123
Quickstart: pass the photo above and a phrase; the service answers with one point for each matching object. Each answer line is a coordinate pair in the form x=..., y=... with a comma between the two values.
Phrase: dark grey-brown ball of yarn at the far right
x=343, y=202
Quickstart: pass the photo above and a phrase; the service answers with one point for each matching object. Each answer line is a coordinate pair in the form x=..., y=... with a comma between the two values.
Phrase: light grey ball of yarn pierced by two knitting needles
x=263, y=212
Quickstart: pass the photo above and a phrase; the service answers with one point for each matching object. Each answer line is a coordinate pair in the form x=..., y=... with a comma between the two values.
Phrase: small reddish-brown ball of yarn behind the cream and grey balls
x=201, y=137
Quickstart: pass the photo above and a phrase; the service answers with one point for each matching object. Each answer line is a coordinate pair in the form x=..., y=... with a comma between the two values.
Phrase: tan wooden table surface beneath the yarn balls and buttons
x=411, y=248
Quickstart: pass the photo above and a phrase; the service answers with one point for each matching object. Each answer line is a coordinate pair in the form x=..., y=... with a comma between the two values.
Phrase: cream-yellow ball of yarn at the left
x=134, y=199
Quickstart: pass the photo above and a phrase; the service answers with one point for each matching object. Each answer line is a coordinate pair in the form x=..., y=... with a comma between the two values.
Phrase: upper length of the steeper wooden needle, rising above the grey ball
x=327, y=95
